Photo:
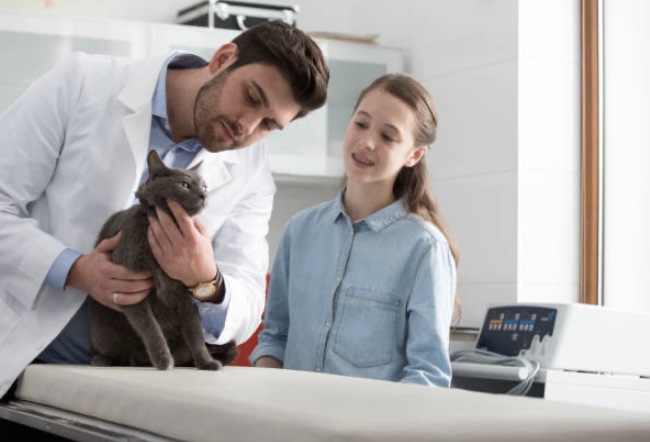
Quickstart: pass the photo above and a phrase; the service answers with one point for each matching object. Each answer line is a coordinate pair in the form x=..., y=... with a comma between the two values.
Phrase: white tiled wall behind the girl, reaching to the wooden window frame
x=505, y=79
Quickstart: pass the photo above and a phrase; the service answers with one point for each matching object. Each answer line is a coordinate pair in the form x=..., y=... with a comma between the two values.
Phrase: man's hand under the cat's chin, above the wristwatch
x=185, y=251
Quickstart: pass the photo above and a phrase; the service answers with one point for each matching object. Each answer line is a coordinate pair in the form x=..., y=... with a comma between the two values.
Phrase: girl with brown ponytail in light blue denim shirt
x=364, y=285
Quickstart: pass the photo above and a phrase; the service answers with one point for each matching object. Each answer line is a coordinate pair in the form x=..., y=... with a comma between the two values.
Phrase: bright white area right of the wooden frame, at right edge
x=627, y=155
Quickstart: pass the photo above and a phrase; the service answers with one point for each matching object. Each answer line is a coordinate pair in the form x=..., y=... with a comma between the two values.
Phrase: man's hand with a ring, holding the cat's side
x=109, y=284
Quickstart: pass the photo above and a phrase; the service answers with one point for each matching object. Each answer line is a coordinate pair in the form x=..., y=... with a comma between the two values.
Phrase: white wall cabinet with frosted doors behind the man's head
x=308, y=149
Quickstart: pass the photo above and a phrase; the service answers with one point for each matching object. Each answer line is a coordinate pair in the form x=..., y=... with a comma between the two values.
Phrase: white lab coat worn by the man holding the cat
x=72, y=150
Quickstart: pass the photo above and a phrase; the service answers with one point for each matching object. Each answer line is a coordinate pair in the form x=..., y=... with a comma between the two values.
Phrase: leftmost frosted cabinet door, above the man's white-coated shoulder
x=31, y=44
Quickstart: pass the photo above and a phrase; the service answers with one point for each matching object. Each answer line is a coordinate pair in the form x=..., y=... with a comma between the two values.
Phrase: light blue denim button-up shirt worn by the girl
x=369, y=299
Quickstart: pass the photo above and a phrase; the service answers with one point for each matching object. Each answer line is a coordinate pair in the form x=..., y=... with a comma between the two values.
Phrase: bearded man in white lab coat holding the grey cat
x=73, y=152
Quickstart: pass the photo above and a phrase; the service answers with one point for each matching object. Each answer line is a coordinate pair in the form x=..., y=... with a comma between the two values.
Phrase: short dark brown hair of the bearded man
x=297, y=57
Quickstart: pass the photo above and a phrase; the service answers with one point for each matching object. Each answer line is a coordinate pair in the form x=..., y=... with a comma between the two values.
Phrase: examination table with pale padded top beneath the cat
x=86, y=403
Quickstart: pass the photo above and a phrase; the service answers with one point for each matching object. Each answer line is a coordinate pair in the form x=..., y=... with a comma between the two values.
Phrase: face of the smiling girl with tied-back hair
x=379, y=140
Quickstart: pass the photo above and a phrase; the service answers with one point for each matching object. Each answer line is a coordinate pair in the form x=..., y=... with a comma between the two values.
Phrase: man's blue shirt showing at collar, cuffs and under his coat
x=72, y=345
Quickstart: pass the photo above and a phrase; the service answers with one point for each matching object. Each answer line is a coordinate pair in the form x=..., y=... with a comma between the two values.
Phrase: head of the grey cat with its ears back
x=184, y=186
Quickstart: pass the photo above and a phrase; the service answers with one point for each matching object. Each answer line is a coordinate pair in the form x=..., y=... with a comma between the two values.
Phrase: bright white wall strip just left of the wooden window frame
x=549, y=151
